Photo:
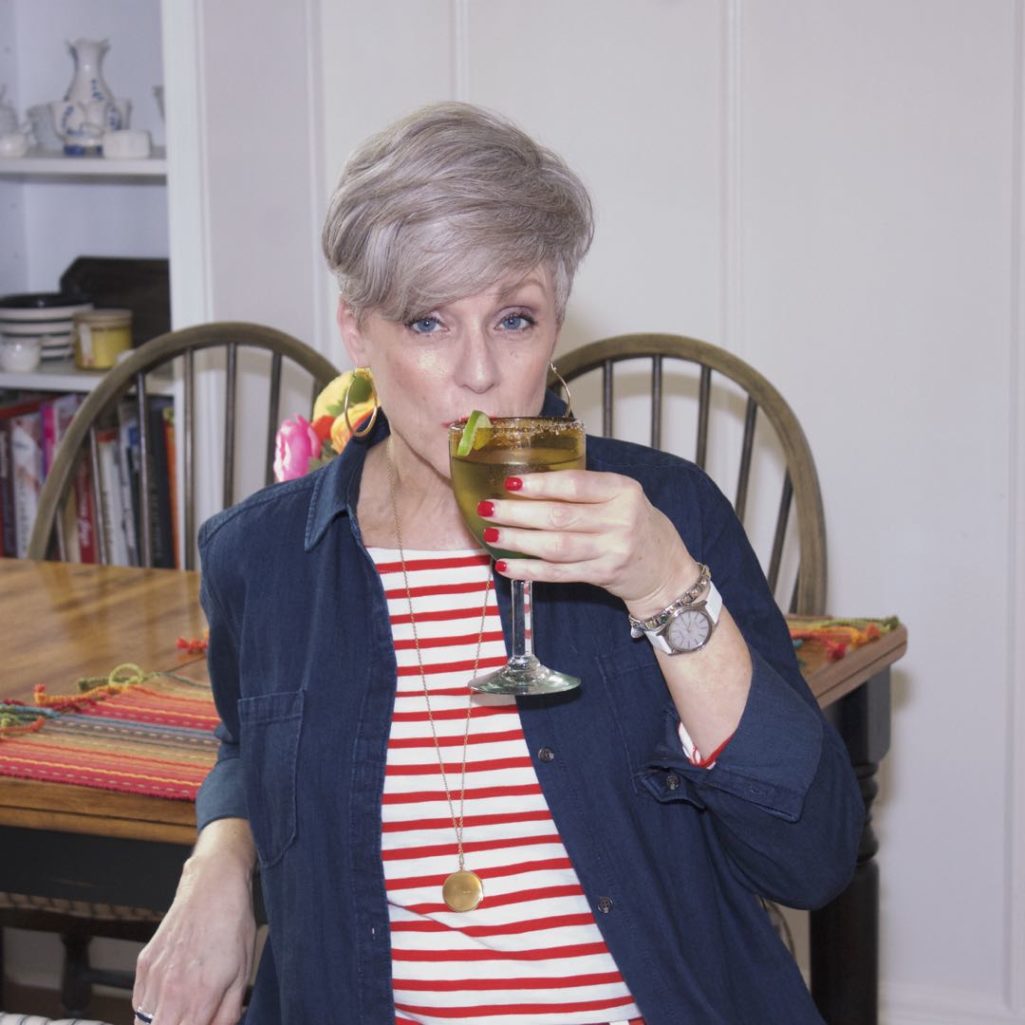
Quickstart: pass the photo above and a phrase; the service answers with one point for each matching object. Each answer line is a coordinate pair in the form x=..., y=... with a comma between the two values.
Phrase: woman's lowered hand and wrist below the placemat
x=196, y=969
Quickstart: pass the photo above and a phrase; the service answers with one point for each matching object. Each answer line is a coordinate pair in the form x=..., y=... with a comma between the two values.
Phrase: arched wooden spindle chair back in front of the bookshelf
x=134, y=378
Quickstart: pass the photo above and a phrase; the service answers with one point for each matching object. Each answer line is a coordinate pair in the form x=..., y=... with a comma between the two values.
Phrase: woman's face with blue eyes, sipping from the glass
x=488, y=352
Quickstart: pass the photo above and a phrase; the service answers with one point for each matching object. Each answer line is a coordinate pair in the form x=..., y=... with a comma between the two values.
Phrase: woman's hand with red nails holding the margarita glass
x=590, y=527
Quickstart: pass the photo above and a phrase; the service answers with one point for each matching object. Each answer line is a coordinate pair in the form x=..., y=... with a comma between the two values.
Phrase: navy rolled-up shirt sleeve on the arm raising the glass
x=782, y=796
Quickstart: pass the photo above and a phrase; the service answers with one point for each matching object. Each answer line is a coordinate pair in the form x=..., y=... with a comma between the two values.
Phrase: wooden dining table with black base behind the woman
x=63, y=622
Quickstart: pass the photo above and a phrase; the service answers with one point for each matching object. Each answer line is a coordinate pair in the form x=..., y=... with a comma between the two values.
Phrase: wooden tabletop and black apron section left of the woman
x=60, y=623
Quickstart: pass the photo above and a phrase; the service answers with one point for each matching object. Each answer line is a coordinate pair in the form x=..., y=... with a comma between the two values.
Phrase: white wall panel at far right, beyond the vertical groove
x=883, y=232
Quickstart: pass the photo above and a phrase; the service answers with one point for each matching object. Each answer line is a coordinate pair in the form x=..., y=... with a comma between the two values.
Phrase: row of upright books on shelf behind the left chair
x=31, y=430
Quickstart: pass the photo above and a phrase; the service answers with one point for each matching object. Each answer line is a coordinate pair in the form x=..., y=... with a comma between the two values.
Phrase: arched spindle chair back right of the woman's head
x=734, y=399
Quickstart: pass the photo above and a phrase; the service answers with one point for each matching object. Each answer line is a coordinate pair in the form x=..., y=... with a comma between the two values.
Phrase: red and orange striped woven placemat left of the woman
x=139, y=733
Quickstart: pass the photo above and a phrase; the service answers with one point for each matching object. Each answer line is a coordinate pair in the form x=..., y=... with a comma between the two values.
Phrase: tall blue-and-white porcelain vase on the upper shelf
x=90, y=108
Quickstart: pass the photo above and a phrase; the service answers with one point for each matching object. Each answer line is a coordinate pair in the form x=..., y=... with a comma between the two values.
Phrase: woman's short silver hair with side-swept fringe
x=447, y=202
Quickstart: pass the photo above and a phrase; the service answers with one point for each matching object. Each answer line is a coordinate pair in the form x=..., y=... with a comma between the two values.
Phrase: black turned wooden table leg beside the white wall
x=845, y=934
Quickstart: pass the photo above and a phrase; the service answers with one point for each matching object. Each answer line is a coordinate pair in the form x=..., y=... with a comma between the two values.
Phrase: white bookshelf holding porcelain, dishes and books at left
x=55, y=210
